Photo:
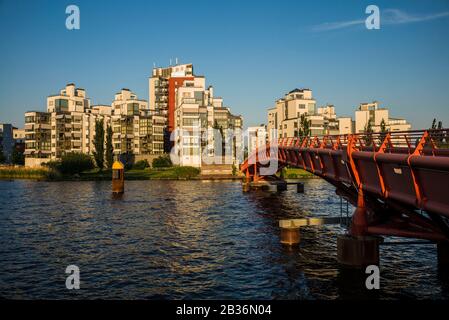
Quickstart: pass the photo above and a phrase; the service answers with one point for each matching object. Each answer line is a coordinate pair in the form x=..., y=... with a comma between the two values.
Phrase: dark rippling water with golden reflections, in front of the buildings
x=187, y=240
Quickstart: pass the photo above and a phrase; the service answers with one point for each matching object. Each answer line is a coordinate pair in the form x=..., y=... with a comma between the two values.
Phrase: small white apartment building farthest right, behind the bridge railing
x=371, y=112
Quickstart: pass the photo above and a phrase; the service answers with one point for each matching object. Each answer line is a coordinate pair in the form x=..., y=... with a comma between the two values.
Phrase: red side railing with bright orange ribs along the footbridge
x=411, y=167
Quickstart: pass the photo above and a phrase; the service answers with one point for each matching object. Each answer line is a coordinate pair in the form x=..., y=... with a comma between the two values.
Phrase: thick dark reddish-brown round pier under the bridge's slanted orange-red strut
x=358, y=252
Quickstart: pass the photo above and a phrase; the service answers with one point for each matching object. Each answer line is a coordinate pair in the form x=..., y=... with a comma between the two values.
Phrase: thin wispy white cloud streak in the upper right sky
x=387, y=17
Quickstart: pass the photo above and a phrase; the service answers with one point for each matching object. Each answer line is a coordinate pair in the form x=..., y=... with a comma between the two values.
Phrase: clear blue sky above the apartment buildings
x=252, y=52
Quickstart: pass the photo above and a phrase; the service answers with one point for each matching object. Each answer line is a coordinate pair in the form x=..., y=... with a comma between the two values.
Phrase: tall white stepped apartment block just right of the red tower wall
x=205, y=130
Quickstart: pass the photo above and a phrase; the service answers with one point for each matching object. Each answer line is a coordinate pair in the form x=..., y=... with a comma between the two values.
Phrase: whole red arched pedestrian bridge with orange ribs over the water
x=398, y=181
